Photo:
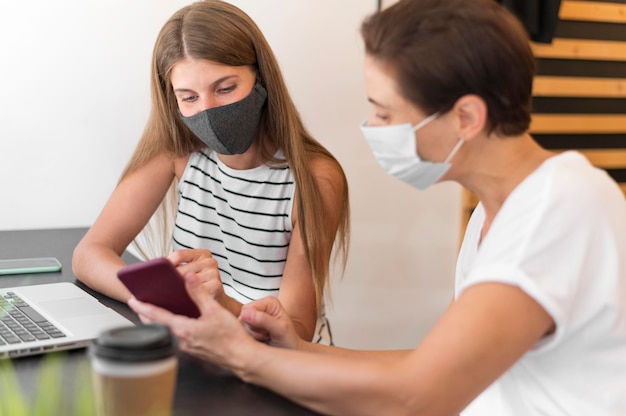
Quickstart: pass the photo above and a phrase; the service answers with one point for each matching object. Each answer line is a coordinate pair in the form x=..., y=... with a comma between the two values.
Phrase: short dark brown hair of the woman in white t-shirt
x=441, y=50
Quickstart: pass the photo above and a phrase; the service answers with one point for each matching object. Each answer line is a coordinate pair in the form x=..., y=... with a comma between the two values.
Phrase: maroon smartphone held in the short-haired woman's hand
x=158, y=282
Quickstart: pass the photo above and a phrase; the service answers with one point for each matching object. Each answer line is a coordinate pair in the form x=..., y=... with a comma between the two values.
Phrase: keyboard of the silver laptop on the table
x=20, y=323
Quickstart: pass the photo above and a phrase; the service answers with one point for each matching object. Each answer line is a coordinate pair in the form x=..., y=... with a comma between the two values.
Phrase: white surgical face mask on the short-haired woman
x=395, y=150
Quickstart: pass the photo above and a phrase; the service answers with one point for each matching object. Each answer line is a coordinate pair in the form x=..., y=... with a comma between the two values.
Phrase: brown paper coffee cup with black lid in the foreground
x=134, y=371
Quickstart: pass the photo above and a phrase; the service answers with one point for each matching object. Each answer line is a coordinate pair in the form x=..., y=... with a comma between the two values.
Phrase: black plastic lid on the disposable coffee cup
x=134, y=343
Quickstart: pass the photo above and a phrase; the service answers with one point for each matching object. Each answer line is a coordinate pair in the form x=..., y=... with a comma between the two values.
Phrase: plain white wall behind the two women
x=75, y=98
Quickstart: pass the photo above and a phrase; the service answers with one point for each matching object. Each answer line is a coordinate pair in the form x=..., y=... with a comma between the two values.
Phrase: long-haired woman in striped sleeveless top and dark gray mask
x=256, y=195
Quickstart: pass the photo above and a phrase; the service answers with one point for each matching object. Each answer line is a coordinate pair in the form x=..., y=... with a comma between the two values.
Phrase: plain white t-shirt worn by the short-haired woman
x=561, y=237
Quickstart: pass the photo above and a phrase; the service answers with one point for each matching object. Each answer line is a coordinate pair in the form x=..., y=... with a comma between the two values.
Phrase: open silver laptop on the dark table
x=37, y=319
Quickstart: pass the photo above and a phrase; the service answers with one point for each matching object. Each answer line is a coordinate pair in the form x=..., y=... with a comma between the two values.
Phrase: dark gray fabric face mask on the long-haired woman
x=229, y=129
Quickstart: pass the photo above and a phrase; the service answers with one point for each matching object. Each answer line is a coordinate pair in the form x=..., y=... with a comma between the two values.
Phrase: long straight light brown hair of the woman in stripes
x=220, y=32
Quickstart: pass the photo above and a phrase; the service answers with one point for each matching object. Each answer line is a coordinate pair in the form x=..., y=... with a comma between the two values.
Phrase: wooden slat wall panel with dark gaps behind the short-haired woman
x=584, y=67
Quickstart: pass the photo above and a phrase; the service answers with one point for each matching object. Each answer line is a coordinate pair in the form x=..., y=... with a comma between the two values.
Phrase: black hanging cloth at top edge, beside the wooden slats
x=538, y=16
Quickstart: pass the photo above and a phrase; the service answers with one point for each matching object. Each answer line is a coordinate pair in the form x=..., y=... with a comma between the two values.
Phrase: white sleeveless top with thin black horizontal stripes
x=242, y=216
